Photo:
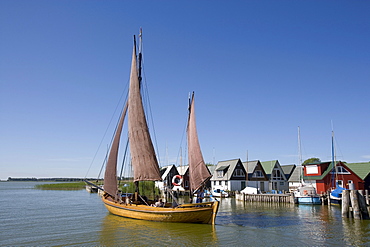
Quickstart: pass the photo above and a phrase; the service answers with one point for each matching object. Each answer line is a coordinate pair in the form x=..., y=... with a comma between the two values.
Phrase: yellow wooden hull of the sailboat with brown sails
x=204, y=213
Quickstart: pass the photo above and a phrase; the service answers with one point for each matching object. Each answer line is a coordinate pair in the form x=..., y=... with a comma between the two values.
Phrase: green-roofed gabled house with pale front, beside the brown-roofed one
x=277, y=179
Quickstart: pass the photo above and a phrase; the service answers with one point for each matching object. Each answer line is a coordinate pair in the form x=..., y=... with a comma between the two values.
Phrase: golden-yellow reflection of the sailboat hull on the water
x=123, y=231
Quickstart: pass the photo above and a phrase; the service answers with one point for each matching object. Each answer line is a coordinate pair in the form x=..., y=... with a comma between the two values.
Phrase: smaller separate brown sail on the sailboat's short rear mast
x=198, y=171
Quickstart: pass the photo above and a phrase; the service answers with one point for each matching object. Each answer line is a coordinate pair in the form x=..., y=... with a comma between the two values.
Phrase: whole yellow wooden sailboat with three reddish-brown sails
x=145, y=165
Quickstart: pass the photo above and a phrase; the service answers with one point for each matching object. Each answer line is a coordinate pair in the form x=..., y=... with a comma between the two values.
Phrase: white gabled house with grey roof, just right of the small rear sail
x=229, y=175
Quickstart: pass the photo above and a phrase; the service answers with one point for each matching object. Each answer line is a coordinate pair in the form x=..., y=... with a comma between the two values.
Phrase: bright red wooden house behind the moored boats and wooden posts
x=325, y=177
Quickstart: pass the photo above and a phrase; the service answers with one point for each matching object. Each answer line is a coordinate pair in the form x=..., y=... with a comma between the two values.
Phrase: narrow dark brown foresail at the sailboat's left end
x=110, y=175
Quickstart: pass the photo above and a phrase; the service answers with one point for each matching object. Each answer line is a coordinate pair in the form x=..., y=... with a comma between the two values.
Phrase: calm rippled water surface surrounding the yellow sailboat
x=31, y=217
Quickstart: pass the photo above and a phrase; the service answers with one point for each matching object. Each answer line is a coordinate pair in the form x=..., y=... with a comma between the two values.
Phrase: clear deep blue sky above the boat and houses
x=259, y=70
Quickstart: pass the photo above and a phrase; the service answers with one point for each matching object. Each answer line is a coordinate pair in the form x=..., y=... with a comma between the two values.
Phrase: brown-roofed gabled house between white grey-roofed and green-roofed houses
x=257, y=177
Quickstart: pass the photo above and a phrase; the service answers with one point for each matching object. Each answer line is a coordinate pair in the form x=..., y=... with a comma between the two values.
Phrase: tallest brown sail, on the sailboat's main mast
x=143, y=158
